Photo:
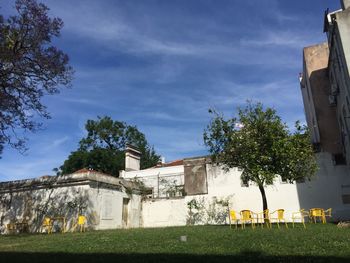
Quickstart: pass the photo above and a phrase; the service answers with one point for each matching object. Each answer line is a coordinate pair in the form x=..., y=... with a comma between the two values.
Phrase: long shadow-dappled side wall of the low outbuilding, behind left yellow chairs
x=33, y=205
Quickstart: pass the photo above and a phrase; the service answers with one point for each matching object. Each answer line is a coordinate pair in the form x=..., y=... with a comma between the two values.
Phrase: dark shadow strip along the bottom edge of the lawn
x=247, y=256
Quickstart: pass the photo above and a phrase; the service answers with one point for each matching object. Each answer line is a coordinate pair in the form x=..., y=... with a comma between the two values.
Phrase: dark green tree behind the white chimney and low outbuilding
x=103, y=148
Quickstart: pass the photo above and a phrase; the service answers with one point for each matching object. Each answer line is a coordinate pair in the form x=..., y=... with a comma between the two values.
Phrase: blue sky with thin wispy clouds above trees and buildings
x=160, y=65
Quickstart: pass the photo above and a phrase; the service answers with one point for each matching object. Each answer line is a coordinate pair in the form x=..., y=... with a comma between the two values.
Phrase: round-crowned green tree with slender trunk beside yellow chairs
x=260, y=143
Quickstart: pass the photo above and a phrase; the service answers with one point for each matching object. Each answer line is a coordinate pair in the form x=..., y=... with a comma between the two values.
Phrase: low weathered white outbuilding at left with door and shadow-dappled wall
x=100, y=201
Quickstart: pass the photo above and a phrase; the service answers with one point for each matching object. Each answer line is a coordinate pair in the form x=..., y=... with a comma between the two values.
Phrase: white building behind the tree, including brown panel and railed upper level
x=197, y=191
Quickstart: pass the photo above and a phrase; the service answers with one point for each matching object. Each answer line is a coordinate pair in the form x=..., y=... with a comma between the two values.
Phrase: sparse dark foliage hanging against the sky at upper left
x=30, y=67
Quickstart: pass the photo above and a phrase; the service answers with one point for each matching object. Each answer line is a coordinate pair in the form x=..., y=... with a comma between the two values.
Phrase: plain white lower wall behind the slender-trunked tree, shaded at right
x=325, y=190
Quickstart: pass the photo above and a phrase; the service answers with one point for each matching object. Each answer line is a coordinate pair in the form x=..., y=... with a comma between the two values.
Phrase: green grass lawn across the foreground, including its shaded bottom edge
x=317, y=243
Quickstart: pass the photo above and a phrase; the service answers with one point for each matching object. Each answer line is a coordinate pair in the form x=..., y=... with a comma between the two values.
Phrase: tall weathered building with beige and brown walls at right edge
x=325, y=88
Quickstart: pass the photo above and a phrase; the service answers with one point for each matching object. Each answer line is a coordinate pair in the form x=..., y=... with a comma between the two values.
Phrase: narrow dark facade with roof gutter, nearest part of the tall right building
x=337, y=27
